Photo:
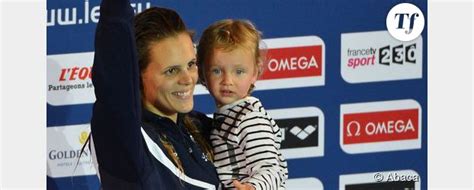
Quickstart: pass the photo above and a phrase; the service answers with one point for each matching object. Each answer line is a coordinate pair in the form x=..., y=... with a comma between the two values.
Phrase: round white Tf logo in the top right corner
x=405, y=22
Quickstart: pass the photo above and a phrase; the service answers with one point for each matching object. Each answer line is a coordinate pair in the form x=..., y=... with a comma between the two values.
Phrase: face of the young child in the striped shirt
x=229, y=75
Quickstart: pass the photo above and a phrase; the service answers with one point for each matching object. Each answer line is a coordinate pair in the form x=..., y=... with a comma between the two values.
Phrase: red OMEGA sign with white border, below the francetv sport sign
x=380, y=126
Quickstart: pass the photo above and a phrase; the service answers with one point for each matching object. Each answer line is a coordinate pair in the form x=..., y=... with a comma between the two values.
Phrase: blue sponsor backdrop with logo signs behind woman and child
x=350, y=97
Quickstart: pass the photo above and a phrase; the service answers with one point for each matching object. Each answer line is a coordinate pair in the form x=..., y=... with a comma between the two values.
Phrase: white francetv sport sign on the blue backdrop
x=376, y=56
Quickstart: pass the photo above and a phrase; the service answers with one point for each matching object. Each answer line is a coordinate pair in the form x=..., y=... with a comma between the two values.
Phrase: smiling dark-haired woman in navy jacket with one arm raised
x=144, y=76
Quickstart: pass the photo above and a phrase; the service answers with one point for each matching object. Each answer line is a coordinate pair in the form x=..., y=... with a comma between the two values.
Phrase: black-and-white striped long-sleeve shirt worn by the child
x=246, y=143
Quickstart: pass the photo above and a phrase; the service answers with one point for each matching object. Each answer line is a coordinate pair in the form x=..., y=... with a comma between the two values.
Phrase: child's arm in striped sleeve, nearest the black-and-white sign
x=257, y=137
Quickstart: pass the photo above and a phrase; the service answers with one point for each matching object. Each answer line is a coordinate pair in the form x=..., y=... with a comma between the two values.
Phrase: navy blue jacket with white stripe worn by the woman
x=126, y=138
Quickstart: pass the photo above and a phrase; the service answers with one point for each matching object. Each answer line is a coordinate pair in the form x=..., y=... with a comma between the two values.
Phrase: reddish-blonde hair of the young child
x=228, y=35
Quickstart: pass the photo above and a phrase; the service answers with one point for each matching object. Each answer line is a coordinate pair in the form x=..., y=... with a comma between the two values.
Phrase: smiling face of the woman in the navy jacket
x=169, y=79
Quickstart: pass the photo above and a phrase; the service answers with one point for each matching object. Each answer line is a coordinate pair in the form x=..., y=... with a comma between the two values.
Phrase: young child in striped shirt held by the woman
x=245, y=139
